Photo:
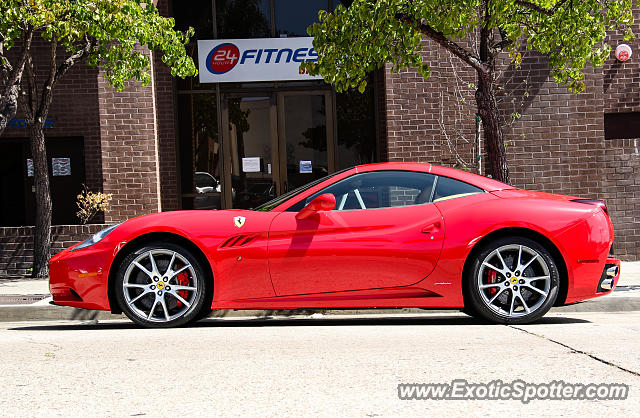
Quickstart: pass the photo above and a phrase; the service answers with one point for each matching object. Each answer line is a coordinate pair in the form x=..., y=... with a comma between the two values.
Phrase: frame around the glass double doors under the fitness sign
x=277, y=119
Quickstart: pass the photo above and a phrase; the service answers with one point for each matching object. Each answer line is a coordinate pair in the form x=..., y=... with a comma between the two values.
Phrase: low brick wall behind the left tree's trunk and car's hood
x=16, y=245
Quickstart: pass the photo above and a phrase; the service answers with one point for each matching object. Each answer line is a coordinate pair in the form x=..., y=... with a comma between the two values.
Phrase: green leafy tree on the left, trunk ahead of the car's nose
x=113, y=35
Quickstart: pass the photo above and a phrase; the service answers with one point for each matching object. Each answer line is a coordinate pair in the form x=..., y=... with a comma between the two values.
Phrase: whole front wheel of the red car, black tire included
x=160, y=298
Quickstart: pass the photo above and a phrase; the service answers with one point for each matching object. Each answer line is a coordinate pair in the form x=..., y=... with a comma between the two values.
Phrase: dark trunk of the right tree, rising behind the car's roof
x=493, y=139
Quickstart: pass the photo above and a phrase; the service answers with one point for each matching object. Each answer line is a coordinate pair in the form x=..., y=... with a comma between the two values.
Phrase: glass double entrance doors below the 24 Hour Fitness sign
x=275, y=142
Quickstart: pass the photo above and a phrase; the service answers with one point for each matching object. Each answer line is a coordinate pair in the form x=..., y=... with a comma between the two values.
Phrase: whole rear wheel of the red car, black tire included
x=508, y=295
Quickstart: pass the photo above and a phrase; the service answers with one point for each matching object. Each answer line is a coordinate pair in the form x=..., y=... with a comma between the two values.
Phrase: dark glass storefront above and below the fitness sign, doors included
x=279, y=134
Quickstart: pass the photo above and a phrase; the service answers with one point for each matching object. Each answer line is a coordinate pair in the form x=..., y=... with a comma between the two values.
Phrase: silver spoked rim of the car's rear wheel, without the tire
x=520, y=284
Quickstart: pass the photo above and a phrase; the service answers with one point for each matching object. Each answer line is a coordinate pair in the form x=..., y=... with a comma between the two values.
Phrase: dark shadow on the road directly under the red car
x=300, y=322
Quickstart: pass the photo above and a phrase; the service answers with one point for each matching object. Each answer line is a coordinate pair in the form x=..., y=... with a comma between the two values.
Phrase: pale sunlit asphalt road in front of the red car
x=347, y=366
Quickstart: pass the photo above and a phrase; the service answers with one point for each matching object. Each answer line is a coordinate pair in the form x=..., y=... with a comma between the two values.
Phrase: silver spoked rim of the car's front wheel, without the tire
x=151, y=288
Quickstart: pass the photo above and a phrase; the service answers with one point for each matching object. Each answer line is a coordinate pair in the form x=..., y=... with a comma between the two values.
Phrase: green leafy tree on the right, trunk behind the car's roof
x=369, y=33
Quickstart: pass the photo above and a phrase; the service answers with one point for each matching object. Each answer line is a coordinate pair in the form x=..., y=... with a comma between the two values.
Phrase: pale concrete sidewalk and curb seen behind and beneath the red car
x=25, y=299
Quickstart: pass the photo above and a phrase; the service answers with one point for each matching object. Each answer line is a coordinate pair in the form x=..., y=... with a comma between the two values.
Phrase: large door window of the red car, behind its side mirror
x=378, y=189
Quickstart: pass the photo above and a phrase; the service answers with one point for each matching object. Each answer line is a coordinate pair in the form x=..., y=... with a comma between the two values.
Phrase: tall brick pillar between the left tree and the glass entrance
x=138, y=143
